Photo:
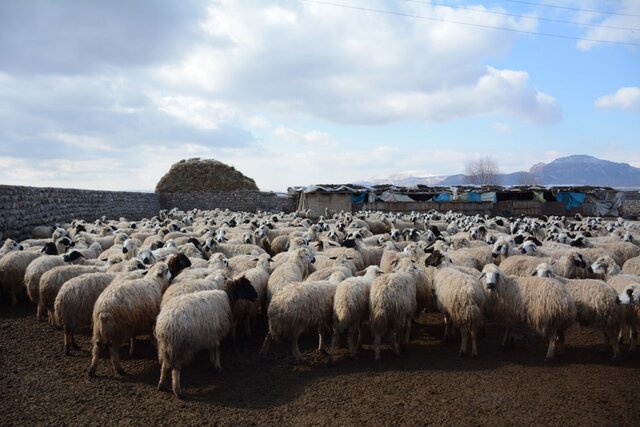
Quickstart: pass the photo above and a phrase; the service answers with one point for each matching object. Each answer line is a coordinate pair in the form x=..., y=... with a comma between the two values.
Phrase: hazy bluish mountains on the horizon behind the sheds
x=573, y=170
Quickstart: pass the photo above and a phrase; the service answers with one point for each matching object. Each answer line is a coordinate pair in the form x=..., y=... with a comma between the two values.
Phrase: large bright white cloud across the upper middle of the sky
x=359, y=67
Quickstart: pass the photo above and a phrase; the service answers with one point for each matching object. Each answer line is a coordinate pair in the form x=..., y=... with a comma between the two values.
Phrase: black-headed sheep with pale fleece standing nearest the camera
x=194, y=322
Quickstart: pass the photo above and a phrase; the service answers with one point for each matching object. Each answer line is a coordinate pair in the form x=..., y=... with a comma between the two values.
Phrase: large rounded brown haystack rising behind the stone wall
x=196, y=175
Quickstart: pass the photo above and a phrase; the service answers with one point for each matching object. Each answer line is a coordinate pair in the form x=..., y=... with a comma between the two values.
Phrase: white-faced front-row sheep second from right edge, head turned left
x=595, y=305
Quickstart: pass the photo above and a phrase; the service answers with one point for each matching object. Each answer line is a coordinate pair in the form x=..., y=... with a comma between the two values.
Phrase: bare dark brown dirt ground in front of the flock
x=428, y=384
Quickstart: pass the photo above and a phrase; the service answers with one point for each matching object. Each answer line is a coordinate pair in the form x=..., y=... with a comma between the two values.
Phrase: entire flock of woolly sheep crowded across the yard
x=190, y=279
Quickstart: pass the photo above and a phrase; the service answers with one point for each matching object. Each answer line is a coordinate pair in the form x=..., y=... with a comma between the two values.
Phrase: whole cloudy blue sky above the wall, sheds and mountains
x=107, y=95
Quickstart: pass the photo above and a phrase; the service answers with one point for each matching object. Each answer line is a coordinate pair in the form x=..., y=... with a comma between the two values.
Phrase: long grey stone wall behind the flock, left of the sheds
x=22, y=208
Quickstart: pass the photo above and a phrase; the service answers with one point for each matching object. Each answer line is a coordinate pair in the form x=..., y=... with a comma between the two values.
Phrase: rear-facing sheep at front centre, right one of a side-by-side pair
x=393, y=304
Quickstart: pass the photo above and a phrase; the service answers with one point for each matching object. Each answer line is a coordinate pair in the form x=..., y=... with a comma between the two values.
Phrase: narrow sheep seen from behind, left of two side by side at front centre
x=351, y=308
